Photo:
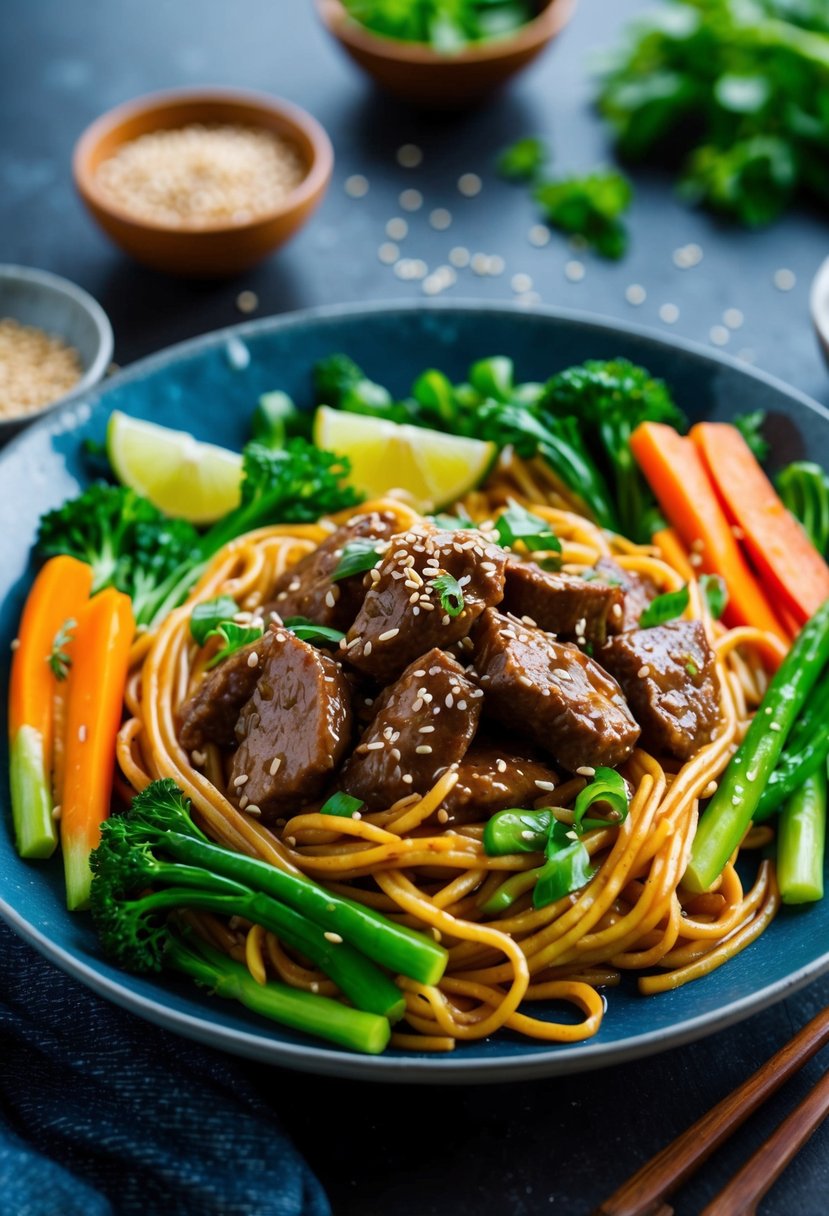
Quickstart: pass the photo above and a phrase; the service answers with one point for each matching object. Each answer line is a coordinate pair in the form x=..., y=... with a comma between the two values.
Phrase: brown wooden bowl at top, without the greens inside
x=425, y=77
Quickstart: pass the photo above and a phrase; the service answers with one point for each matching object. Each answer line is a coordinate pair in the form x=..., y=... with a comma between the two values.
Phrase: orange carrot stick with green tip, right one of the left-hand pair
x=94, y=713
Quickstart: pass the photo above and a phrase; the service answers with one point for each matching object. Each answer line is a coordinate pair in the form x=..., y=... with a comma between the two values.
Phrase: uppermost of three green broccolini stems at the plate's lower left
x=396, y=947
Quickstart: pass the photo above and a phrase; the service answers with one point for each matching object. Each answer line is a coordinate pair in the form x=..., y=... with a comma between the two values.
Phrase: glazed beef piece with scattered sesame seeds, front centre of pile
x=422, y=725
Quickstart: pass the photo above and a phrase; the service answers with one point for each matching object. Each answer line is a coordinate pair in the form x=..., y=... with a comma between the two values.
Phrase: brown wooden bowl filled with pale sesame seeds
x=204, y=183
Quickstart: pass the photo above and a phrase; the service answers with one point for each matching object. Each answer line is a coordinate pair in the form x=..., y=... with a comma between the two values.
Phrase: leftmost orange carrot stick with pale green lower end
x=57, y=598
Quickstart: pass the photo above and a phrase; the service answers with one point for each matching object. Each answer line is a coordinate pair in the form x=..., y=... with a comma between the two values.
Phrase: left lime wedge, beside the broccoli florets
x=181, y=475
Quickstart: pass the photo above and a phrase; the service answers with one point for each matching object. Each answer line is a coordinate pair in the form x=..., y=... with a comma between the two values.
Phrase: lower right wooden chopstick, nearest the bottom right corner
x=762, y=1172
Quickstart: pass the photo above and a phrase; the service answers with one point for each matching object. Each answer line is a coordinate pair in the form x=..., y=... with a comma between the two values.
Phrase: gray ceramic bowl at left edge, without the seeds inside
x=38, y=299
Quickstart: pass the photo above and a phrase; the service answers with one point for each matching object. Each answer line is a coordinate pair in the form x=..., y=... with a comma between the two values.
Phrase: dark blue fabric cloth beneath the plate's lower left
x=104, y=1114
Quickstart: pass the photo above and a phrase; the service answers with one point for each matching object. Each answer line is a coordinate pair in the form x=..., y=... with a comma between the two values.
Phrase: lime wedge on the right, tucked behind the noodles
x=433, y=470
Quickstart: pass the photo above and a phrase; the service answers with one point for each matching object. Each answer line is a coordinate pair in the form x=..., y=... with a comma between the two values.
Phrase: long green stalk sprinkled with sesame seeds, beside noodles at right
x=735, y=804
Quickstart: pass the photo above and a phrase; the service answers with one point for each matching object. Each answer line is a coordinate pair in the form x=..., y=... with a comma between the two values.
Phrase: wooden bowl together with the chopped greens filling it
x=444, y=57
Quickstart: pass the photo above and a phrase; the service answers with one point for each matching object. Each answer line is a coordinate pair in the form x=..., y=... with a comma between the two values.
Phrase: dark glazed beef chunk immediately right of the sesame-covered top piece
x=561, y=604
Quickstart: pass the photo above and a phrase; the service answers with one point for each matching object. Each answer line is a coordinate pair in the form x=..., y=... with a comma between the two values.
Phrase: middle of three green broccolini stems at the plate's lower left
x=357, y=977
